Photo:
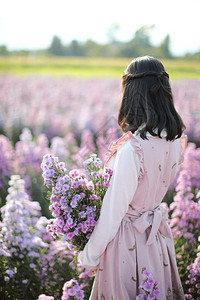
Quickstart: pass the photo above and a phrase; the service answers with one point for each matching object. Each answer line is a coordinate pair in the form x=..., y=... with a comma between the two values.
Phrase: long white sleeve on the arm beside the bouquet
x=124, y=181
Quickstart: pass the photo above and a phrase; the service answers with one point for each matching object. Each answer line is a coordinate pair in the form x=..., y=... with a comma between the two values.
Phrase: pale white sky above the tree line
x=31, y=24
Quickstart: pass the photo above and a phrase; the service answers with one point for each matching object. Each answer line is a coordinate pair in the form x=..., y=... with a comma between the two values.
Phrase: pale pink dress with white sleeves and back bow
x=132, y=233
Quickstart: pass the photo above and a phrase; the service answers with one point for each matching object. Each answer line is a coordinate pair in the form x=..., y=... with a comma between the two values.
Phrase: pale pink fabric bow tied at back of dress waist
x=156, y=219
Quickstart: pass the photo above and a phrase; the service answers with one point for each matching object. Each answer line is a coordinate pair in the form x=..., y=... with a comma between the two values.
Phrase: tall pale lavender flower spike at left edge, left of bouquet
x=20, y=215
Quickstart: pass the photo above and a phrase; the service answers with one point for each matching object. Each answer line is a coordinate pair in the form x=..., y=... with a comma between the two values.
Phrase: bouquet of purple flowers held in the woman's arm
x=76, y=198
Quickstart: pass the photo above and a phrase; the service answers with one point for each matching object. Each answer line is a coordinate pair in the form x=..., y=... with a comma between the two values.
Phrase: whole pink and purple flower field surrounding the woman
x=71, y=118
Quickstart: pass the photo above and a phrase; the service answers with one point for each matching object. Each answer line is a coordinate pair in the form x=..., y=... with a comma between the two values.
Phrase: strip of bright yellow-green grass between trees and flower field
x=88, y=67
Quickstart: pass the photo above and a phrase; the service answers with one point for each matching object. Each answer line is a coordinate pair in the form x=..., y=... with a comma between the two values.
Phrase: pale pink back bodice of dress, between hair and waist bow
x=160, y=162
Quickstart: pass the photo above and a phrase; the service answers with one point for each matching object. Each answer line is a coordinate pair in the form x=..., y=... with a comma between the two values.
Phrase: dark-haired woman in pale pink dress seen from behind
x=132, y=234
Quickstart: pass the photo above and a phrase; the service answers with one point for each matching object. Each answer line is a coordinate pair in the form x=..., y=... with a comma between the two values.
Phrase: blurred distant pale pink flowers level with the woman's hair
x=57, y=106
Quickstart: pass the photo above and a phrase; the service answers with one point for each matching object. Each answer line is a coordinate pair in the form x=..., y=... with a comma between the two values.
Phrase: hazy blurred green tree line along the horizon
x=139, y=45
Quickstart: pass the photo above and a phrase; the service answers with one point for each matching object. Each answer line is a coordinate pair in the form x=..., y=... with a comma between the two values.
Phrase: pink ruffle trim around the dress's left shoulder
x=136, y=145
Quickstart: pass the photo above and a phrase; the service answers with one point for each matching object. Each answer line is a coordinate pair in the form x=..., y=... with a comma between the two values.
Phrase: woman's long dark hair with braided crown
x=147, y=99
